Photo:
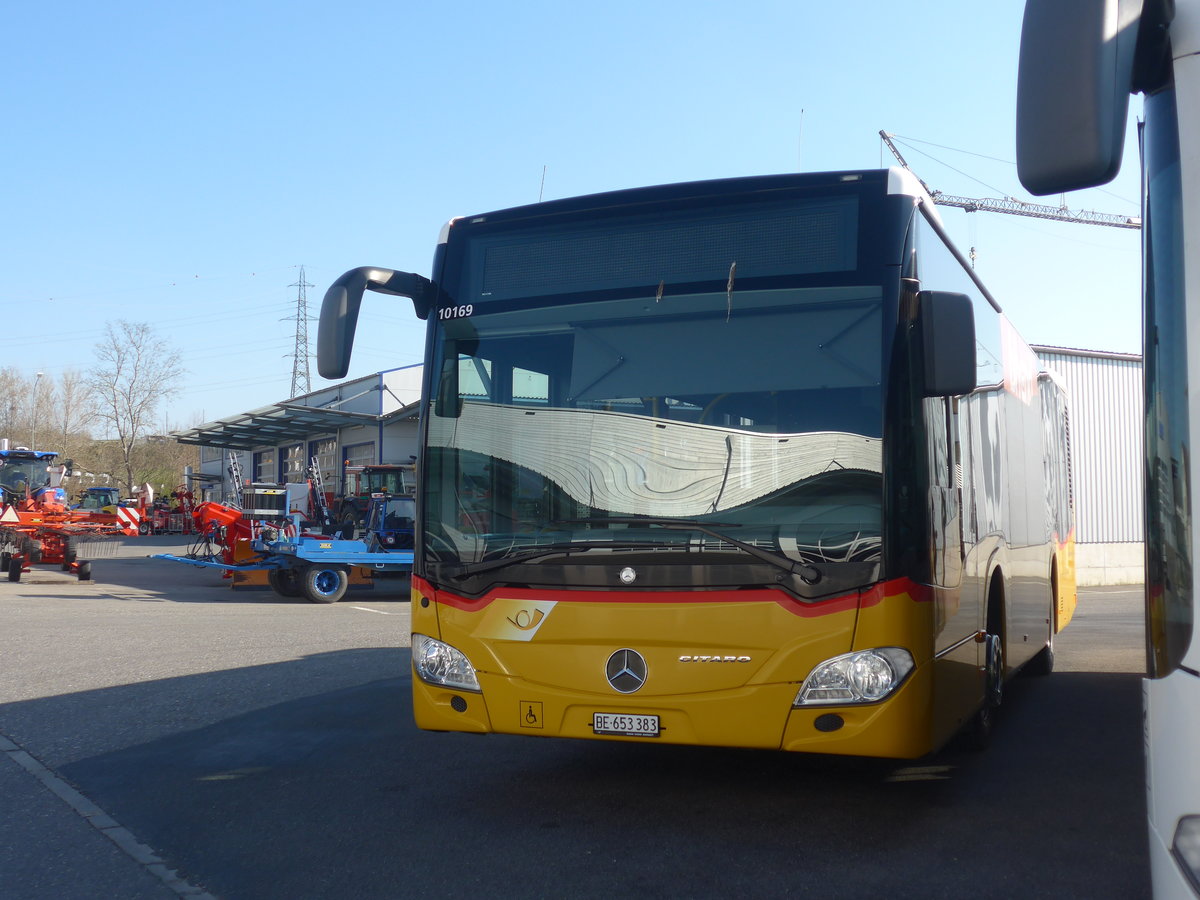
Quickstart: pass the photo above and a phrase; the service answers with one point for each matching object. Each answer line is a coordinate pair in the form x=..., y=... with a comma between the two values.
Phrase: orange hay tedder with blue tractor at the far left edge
x=38, y=526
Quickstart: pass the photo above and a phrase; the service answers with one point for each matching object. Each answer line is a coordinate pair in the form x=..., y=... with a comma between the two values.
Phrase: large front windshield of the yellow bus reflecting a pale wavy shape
x=758, y=413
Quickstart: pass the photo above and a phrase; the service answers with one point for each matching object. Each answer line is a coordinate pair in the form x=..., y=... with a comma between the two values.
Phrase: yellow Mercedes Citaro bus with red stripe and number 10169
x=754, y=463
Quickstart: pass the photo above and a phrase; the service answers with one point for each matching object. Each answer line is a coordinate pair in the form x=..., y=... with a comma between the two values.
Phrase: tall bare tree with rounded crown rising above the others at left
x=135, y=373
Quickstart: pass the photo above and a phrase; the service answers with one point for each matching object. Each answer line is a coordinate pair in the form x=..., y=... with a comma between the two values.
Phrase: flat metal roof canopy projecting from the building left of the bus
x=281, y=424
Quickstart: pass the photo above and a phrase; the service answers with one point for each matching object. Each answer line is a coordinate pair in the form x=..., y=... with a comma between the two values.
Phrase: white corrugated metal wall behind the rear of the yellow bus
x=1106, y=395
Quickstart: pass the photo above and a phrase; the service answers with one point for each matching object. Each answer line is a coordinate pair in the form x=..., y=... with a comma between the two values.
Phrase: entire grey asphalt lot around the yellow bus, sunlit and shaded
x=169, y=736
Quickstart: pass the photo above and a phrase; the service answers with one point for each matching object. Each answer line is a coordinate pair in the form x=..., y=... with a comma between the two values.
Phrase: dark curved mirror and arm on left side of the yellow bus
x=340, y=311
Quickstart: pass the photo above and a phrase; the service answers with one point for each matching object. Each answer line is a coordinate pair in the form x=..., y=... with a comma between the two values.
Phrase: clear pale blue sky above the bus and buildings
x=177, y=165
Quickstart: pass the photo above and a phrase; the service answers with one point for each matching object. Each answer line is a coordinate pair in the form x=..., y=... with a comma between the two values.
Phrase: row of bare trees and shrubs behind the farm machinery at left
x=105, y=418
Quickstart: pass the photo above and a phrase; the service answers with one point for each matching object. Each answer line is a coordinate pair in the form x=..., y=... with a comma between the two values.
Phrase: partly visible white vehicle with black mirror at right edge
x=1081, y=62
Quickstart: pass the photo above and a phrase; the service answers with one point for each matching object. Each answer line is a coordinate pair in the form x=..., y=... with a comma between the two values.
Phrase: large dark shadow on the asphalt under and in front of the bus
x=337, y=794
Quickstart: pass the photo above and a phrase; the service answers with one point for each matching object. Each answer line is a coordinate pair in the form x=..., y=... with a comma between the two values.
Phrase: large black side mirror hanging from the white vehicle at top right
x=1073, y=86
